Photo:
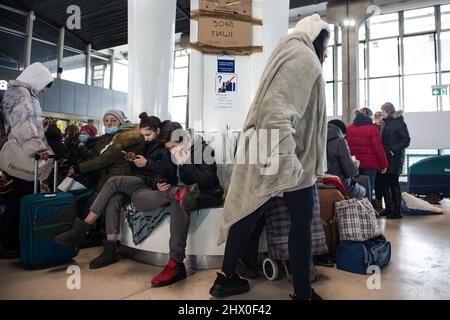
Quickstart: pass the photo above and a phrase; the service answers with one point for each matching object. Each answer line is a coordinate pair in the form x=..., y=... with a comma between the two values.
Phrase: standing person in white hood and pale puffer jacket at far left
x=24, y=126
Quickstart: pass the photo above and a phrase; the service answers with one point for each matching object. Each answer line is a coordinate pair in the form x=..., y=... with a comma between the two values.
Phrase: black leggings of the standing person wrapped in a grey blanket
x=244, y=234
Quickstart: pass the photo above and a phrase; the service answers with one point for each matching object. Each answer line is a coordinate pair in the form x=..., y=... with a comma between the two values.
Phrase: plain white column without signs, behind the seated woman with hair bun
x=151, y=38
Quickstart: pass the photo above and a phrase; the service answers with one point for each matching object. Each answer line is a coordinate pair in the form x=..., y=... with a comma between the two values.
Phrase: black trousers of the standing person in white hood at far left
x=9, y=226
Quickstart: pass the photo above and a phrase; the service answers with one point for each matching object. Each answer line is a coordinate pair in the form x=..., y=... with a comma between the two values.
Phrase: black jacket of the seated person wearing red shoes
x=200, y=169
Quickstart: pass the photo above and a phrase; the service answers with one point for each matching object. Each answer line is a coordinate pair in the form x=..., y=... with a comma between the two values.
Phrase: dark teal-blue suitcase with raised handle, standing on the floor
x=42, y=217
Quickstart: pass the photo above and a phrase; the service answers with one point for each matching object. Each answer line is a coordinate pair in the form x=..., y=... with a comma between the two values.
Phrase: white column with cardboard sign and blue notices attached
x=203, y=113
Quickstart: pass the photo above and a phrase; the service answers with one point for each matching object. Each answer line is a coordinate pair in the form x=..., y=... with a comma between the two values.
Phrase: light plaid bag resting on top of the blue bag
x=357, y=220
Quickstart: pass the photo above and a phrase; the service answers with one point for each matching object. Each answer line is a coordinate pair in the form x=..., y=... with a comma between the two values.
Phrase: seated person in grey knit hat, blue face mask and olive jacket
x=120, y=135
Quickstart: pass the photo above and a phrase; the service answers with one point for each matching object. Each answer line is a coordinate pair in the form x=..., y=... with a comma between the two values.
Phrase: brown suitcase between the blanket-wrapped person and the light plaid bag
x=328, y=198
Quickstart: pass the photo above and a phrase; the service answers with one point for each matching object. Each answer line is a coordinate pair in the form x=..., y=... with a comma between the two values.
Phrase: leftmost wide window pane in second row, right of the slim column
x=384, y=58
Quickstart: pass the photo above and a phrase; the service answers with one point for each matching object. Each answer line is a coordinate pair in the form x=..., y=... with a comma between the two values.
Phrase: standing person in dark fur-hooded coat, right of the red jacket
x=395, y=137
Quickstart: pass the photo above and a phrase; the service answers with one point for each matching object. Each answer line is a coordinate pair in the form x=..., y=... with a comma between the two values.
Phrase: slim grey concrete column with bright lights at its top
x=349, y=15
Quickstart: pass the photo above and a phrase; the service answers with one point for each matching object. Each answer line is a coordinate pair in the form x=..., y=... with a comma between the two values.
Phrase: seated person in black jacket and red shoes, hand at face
x=196, y=186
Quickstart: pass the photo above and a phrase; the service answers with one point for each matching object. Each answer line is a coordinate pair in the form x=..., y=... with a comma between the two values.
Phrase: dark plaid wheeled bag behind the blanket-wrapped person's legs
x=278, y=226
